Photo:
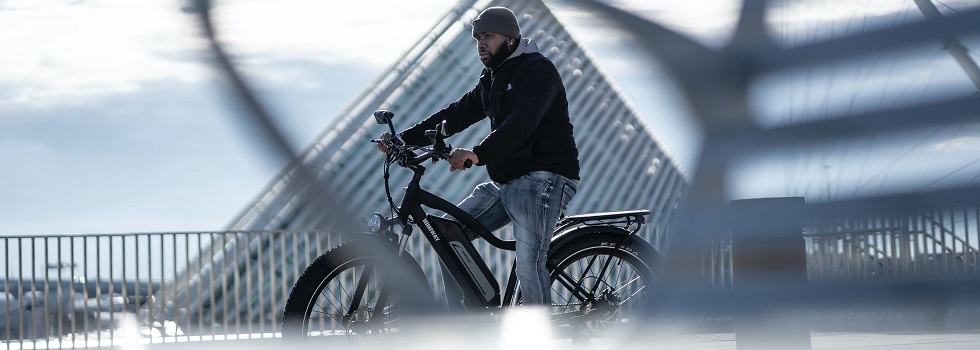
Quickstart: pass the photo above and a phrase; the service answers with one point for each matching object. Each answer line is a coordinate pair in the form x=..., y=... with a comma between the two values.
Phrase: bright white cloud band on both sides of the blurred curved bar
x=59, y=54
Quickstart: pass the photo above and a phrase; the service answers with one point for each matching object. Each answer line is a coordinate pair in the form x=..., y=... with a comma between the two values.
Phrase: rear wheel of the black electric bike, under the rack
x=597, y=286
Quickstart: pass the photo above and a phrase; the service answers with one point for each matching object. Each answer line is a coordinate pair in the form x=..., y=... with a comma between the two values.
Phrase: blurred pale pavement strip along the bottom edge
x=517, y=335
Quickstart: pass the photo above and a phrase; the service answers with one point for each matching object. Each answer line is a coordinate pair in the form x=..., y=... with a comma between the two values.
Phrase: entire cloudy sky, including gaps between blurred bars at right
x=112, y=118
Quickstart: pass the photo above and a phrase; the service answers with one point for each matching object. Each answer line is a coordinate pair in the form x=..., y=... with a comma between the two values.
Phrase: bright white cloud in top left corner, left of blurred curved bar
x=64, y=54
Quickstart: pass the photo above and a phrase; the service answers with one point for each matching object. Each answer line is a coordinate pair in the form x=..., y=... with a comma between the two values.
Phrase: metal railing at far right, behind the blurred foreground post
x=917, y=246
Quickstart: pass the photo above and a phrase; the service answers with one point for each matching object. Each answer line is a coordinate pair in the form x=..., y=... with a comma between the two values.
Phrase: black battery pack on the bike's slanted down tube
x=461, y=249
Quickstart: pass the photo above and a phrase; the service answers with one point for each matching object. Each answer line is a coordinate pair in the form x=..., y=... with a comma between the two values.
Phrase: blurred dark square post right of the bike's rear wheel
x=769, y=253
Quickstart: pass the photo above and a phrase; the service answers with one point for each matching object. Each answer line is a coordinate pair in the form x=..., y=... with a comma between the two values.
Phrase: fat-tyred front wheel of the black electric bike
x=354, y=293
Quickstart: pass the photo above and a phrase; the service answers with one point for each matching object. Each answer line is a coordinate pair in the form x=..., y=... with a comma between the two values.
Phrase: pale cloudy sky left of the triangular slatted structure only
x=112, y=119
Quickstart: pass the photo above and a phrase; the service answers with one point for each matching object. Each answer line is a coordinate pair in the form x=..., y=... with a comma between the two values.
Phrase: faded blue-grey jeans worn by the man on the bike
x=533, y=203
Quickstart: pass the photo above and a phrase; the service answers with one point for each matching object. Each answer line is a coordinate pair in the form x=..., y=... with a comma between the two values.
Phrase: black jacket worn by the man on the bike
x=529, y=127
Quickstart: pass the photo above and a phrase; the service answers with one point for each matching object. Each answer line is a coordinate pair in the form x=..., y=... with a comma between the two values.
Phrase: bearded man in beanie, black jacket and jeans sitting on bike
x=530, y=153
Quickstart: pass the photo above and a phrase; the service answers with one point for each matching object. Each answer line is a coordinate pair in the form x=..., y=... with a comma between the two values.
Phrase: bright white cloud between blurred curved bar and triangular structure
x=370, y=32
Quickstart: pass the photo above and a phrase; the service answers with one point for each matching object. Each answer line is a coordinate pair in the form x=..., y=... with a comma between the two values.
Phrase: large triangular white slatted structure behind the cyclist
x=623, y=166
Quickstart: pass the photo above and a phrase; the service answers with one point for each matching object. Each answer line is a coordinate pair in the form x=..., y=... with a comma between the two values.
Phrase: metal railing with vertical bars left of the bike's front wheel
x=80, y=290
